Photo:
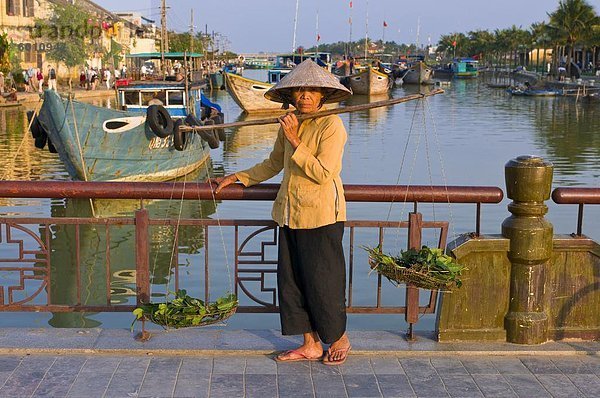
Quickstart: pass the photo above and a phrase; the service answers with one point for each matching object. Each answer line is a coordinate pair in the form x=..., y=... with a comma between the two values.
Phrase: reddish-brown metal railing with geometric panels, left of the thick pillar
x=32, y=239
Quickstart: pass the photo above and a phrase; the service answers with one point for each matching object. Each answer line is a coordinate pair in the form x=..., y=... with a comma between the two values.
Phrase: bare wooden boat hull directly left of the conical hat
x=250, y=94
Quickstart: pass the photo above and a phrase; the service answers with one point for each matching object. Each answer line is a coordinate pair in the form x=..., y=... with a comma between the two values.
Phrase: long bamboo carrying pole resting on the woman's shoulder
x=328, y=112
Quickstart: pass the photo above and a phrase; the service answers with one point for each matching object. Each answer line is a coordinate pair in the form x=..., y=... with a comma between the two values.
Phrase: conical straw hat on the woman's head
x=308, y=74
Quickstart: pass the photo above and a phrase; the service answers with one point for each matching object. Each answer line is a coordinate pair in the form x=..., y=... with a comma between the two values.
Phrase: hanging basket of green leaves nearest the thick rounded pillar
x=426, y=268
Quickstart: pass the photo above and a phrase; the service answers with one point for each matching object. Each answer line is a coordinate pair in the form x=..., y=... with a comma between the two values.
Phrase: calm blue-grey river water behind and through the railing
x=461, y=137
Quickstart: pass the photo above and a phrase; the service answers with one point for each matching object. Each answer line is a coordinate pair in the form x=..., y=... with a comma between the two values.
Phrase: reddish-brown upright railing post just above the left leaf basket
x=142, y=269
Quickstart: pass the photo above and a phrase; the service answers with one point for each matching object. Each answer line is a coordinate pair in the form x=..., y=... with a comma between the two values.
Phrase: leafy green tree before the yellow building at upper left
x=68, y=27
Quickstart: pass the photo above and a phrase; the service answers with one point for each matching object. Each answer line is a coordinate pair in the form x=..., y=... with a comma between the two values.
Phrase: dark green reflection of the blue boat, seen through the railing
x=90, y=244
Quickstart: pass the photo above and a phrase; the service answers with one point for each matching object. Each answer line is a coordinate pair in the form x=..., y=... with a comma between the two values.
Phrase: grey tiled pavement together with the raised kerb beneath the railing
x=53, y=363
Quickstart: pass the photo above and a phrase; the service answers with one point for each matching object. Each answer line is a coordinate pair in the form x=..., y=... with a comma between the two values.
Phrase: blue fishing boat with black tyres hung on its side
x=139, y=141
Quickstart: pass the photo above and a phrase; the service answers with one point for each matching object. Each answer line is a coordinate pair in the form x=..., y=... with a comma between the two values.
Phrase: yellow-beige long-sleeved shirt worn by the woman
x=311, y=193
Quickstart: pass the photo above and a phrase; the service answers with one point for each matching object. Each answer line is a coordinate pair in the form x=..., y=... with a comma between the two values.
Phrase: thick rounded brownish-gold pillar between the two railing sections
x=528, y=184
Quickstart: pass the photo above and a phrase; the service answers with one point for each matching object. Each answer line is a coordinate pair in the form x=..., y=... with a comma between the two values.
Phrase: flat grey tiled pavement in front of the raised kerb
x=259, y=376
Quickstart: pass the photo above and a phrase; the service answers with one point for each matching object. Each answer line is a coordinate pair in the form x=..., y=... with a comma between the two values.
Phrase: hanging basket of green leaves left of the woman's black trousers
x=185, y=311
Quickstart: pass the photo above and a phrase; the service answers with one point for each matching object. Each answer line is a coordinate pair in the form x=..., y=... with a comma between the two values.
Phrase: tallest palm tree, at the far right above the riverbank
x=571, y=21
